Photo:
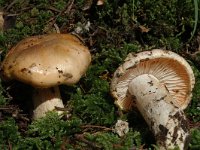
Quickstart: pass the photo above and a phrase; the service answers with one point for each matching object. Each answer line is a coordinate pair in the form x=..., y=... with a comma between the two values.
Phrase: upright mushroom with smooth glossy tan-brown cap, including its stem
x=44, y=62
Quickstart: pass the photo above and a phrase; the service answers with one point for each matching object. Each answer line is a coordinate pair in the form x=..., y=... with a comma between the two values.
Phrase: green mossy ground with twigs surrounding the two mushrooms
x=117, y=28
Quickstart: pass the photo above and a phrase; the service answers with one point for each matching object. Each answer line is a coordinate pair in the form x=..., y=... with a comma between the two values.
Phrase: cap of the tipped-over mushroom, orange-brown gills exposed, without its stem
x=168, y=67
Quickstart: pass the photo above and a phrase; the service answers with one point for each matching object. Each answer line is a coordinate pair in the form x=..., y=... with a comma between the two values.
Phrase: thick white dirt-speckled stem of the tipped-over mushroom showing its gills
x=167, y=122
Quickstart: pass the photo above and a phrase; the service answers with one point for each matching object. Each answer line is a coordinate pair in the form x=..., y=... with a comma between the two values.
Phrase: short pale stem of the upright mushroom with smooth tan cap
x=45, y=100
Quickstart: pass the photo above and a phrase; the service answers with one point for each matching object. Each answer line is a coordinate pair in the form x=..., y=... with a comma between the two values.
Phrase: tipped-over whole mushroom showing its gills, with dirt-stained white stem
x=159, y=83
